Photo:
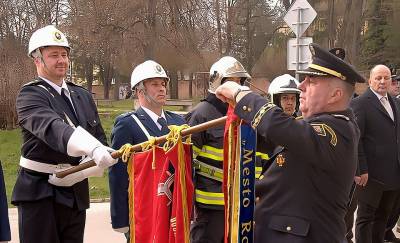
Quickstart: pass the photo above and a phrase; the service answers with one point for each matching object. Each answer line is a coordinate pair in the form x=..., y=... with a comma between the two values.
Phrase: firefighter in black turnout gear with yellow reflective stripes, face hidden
x=208, y=225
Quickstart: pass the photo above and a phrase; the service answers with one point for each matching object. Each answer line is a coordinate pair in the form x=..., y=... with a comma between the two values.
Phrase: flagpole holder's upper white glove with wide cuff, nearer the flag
x=83, y=143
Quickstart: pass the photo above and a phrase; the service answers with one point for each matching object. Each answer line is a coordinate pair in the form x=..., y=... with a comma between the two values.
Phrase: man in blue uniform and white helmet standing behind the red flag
x=149, y=82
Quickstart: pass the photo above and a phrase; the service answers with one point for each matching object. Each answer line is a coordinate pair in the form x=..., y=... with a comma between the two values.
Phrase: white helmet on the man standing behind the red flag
x=146, y=70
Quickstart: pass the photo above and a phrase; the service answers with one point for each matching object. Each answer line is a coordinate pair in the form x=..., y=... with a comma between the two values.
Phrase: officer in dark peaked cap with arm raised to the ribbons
x=304, y=194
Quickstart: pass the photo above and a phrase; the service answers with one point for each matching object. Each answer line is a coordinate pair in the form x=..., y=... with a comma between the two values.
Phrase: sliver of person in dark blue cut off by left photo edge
x=5, y=234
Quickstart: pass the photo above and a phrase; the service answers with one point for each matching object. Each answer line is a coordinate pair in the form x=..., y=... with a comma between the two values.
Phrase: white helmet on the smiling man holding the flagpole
x=47, y=36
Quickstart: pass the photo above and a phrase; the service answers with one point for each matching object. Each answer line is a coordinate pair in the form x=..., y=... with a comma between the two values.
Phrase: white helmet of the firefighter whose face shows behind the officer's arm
x=284, y=84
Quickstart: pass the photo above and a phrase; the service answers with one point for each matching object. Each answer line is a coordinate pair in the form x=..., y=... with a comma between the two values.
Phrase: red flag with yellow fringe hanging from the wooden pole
x=160, y=197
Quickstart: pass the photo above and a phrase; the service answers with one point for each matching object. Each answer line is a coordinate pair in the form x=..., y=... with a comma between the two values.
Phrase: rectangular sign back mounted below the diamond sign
x=305, y=56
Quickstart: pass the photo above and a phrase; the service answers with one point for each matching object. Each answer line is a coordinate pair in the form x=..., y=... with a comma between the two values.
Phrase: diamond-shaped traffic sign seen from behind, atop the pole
x=300, y=16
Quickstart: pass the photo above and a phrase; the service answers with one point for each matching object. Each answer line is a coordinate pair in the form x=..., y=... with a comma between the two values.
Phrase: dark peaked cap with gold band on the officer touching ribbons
x=325, y=63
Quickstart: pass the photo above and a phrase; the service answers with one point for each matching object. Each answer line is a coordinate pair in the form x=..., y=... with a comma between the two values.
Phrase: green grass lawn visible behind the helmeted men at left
x=10, y=143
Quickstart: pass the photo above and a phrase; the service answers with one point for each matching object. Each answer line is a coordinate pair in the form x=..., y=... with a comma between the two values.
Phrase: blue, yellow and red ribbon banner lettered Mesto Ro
x=239, y=179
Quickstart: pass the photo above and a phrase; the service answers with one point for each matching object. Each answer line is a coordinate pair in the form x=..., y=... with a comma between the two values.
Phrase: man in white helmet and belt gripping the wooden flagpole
x=59, y=125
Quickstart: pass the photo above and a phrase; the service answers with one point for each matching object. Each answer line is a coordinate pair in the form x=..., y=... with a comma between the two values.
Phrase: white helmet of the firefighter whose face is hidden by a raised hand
x=226, y=67
